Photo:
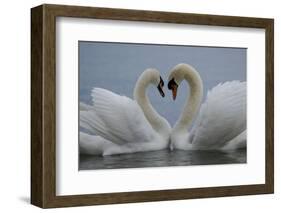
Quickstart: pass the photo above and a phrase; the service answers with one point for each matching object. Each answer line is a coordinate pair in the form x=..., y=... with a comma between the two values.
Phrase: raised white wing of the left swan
x=116, y=118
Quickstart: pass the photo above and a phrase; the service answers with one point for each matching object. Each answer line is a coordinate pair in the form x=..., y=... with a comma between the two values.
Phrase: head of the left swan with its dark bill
x=153, y=76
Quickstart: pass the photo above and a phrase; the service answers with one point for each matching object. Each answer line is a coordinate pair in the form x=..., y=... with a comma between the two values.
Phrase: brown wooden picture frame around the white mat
x=43, y=105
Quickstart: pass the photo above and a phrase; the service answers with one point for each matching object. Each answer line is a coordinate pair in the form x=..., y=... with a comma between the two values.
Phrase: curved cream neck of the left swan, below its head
x=157, y=122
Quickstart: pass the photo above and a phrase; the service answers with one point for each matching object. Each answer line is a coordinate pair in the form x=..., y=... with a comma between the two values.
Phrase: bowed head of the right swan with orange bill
x=177, y=75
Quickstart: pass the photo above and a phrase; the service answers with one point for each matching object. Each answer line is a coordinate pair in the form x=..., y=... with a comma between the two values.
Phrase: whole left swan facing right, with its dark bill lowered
x=122, y=125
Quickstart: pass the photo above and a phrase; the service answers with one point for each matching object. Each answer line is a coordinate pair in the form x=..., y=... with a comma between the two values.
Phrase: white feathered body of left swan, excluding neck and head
x=119, y=122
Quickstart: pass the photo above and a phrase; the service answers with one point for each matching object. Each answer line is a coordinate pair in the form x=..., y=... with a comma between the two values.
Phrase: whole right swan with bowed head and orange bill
x=221, y=120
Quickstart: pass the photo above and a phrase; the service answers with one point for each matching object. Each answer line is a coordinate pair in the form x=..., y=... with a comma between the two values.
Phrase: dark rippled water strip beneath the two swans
x=162, y=158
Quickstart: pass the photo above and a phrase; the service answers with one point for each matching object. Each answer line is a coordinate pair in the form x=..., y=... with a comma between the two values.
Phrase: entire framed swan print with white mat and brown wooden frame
x=136, y=106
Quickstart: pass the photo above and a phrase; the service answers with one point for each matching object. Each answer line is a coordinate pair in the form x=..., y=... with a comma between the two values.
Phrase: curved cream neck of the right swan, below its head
x=192, y=103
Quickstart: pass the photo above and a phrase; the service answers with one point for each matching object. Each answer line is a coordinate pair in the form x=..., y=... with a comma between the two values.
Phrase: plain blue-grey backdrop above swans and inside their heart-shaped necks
x=116, y=67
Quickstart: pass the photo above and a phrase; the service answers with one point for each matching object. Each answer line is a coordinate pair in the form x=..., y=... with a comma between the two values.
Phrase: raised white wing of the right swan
x=221, y=117
